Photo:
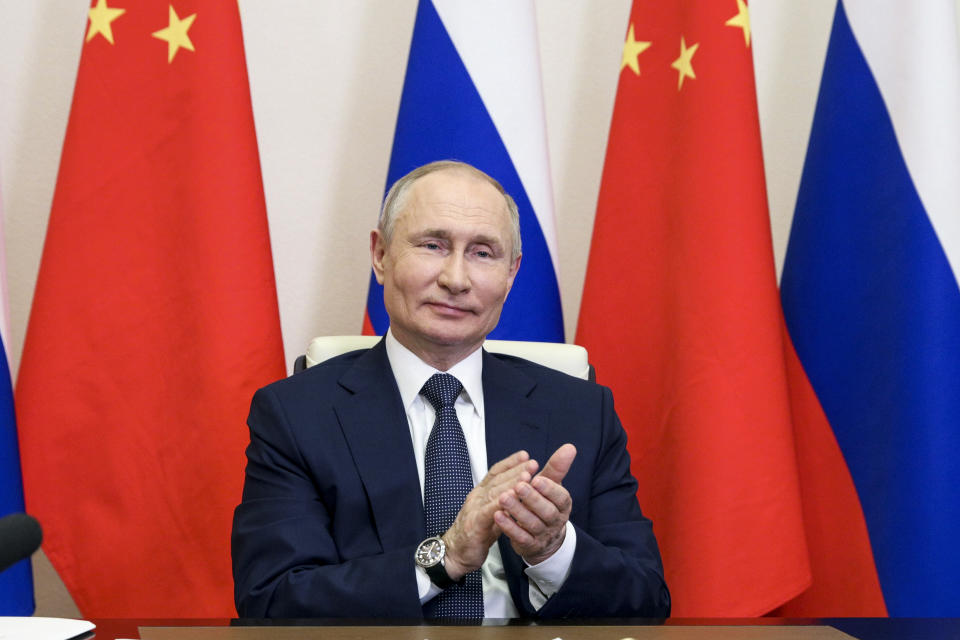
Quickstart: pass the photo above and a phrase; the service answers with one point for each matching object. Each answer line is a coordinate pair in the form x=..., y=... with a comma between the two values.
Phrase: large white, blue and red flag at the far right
x=872, y=304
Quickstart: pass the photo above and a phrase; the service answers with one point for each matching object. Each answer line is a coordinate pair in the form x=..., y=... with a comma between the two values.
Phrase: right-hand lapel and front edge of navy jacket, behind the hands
x=513, y=422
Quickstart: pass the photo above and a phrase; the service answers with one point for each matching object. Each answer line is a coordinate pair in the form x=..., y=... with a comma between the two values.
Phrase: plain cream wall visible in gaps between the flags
x=326, y=77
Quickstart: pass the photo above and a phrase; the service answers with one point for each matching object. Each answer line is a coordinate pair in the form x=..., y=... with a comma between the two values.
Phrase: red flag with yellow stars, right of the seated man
x=681, y=315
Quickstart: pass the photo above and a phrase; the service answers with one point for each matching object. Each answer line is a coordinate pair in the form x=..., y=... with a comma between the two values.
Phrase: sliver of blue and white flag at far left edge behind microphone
x=16, y=583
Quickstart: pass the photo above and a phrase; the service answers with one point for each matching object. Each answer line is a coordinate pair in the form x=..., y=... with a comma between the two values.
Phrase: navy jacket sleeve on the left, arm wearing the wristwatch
x=286, y=562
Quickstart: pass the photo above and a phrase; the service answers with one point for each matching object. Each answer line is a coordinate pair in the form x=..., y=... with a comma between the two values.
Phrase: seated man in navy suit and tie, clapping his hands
x=367, y=489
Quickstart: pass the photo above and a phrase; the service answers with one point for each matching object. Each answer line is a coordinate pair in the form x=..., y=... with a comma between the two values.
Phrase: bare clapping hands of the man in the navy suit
x=531, y=510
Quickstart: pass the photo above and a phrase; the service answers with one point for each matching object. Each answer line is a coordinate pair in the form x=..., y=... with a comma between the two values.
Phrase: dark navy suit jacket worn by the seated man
x=332, y=508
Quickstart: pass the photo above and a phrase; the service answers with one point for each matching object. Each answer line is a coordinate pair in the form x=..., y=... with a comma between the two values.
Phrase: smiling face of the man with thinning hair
x=447, y=269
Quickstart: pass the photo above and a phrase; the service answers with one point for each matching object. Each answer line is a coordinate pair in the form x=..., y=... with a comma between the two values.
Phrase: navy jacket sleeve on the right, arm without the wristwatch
x=616, y=569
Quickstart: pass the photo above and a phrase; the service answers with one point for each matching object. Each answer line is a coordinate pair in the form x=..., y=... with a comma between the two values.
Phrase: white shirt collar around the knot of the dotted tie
x=411, y=373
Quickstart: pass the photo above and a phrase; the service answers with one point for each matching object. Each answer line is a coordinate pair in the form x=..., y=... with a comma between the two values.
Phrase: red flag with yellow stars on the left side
x=154, y=318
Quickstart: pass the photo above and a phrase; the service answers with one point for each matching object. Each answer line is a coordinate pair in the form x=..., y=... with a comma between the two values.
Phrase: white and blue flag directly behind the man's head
x=472, y=93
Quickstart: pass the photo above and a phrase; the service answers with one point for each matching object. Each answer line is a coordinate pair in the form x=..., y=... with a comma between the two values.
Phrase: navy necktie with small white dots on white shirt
x=447, y=480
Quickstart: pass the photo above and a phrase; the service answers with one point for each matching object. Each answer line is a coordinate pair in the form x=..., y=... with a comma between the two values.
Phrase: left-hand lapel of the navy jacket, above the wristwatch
x=375, y=426
